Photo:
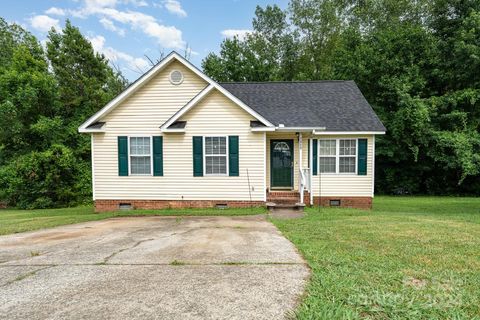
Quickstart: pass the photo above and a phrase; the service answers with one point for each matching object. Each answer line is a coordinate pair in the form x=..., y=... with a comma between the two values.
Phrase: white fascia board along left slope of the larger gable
x=127, y=92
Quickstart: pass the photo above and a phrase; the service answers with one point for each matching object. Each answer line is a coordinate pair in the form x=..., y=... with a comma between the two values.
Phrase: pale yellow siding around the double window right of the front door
x=346, y=185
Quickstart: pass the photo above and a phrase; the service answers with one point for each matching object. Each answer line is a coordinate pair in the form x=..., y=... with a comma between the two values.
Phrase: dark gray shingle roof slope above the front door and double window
x=335, y=105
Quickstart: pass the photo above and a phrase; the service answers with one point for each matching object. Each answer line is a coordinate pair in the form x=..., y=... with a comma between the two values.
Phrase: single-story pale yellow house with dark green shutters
x=176, y=138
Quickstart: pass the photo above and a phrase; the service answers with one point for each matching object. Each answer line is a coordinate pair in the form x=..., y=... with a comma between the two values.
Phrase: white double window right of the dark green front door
x=337, y=155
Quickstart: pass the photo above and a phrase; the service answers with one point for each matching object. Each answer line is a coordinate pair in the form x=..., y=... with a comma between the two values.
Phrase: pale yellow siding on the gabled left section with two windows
x=143, y=114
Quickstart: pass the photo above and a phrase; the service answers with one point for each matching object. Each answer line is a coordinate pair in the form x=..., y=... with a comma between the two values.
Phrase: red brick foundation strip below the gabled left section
x=113, y=205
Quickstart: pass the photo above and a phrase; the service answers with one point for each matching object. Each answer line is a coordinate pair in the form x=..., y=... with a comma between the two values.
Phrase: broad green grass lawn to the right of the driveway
x=408, y=258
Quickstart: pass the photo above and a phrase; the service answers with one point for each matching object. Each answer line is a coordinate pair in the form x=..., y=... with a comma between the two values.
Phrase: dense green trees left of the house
x=44, y=162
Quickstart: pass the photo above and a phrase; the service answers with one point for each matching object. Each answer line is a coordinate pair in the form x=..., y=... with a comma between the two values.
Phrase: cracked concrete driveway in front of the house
x=151, y=268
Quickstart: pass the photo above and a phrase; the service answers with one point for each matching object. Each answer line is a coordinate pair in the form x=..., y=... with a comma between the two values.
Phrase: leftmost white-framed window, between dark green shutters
x=140, y=156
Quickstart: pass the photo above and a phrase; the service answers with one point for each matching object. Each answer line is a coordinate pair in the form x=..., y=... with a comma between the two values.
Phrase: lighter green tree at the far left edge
x=27, y=94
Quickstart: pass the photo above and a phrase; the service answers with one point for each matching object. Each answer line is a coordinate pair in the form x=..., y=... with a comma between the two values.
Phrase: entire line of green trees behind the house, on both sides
x=416, y=62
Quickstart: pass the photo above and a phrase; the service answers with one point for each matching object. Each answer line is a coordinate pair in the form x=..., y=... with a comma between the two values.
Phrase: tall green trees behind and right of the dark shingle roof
x=416, y=62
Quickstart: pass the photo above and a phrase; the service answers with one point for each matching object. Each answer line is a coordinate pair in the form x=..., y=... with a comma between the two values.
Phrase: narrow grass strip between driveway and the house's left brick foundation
x=14, y=221
